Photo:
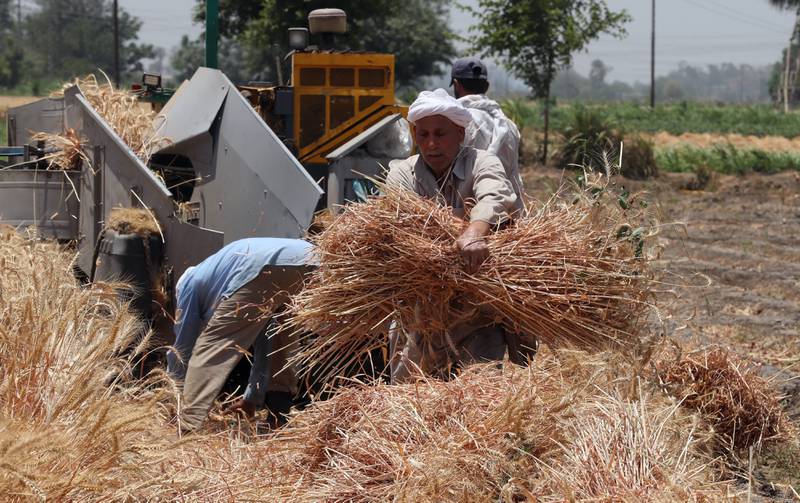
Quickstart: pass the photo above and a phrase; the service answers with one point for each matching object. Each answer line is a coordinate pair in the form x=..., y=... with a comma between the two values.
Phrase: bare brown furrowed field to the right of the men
x=733, y=254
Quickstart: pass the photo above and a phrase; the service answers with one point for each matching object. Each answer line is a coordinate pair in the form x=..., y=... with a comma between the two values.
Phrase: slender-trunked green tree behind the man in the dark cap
x=536, y=38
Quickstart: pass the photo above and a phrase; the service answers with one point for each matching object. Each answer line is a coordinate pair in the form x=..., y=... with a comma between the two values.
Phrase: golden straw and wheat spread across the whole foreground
x=73, y=426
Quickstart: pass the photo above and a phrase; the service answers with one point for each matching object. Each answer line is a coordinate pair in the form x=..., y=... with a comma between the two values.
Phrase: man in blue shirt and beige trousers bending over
x=225, y=305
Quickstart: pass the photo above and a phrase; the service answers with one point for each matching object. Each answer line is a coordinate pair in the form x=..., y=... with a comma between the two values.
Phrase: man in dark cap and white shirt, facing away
x=490, y=129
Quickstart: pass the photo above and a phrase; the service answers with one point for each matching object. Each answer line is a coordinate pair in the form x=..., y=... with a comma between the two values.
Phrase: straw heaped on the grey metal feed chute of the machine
x=121, y=110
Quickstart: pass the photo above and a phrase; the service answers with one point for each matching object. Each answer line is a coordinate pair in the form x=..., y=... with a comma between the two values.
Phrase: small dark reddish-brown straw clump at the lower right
x=744, y=410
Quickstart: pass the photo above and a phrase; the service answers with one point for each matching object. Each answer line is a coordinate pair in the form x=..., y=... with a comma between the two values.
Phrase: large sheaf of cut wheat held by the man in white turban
x=567, y=273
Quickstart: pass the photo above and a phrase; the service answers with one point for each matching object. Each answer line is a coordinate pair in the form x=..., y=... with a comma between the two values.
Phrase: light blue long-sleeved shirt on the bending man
x=201, y=288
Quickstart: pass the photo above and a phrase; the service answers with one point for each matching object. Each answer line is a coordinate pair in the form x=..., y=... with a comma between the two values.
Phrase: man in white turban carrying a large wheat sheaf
x=475, y=185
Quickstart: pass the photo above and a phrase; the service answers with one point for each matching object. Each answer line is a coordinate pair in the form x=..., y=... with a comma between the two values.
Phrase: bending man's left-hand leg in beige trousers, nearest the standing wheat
x=237, y=322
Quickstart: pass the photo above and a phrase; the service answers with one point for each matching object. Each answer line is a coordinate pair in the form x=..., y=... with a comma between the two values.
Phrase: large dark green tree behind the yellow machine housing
x=415, y=31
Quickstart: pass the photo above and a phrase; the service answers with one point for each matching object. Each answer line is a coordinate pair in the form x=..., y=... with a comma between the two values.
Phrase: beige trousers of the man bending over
x=237, y=322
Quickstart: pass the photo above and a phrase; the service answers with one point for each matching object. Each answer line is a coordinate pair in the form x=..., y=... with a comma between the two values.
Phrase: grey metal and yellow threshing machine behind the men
x=240, y=161
